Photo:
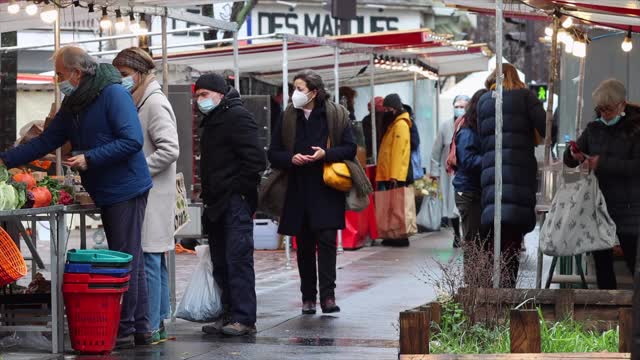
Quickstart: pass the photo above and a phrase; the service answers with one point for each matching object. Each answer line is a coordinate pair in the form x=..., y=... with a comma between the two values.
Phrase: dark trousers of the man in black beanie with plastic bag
x=231, y=248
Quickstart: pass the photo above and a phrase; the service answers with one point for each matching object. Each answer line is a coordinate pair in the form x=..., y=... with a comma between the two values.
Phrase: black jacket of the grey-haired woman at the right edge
x=618, y=170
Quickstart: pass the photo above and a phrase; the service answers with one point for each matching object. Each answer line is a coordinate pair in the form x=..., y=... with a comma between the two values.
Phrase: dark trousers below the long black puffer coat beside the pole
x=511, y=240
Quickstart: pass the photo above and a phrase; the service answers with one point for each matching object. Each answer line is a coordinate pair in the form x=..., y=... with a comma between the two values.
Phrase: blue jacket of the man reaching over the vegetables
x=109, y=134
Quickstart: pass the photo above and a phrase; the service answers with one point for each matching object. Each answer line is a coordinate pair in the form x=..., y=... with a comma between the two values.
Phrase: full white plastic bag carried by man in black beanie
x=201, y=300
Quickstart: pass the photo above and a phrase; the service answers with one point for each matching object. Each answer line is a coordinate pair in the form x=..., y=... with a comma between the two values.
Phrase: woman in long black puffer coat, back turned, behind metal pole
x=522, y=115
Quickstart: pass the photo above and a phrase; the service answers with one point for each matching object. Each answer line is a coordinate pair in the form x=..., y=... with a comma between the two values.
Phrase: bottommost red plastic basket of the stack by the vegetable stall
x=93, y=315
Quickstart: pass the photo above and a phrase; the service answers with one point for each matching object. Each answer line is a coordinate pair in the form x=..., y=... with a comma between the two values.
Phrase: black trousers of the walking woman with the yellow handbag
x=325, y=243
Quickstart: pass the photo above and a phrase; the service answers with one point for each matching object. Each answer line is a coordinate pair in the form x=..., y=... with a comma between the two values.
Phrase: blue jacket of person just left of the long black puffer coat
x=469, y=161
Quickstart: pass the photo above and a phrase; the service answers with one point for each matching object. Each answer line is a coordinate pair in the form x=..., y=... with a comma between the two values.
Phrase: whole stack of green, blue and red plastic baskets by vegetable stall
x=94, y=283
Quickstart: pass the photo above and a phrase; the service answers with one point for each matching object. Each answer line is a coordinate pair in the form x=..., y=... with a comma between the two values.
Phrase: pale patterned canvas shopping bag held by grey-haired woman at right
x=578, y=221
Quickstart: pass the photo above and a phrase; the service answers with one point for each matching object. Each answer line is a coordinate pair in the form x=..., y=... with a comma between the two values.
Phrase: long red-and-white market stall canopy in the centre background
x=264, y=61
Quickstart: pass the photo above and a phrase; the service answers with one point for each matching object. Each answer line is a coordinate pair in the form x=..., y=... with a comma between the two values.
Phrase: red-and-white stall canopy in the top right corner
x=623, y=15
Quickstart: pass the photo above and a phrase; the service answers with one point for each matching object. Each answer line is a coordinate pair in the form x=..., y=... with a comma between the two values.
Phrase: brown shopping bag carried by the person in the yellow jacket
x=396, y=213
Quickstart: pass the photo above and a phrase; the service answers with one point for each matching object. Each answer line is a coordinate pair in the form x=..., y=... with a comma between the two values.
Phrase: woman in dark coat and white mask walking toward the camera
x=313, y=212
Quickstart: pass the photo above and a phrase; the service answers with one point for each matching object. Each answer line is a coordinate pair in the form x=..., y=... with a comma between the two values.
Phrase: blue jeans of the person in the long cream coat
x=155, y=266
